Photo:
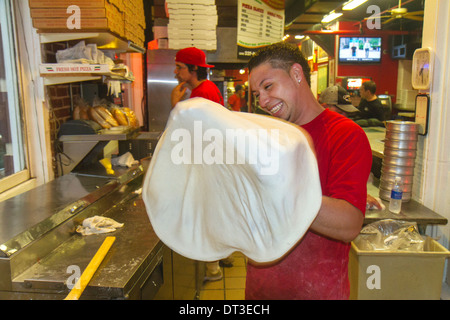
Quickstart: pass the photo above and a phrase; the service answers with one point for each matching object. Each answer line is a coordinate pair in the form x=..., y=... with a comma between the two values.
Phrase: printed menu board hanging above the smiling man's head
x=260, y=23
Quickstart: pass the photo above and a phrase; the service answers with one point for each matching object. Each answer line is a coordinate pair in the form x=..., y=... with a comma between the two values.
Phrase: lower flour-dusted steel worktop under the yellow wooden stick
x=134, y=256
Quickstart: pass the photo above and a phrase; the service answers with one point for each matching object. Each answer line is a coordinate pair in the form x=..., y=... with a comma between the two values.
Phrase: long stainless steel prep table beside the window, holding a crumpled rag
x=39, y=243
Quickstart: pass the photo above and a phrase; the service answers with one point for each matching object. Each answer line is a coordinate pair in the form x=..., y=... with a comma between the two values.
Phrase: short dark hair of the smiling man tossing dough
x=281, y=55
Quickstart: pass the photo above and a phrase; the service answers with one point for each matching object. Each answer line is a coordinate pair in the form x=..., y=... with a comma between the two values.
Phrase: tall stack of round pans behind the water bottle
x=399, y=157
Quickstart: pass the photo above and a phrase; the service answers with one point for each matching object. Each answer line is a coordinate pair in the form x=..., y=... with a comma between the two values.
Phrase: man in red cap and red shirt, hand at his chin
x=191, y=71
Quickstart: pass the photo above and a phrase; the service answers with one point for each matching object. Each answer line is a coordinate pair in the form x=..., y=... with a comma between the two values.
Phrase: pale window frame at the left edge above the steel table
x=35, y=112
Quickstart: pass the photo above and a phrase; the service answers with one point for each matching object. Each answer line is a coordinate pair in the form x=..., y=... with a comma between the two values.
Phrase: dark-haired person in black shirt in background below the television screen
x=370, y=106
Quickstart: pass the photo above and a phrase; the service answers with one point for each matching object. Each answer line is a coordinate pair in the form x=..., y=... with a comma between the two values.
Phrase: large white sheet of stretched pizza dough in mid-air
x=222, y=181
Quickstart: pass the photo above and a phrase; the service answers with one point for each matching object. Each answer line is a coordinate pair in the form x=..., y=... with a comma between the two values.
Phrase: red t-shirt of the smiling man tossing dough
x=317, y=267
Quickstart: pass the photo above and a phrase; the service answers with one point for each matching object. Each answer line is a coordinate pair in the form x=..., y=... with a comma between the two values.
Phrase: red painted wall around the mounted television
x=384, y=74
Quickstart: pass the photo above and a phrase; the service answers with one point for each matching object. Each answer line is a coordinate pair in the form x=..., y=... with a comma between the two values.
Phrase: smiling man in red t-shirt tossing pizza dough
x=316, y=267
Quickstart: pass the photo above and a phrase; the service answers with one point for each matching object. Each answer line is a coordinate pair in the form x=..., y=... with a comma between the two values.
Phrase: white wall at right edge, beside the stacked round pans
x=435, y=147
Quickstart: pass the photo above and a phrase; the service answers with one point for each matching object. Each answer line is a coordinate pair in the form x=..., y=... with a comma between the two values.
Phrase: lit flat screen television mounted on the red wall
x=354, y=50
